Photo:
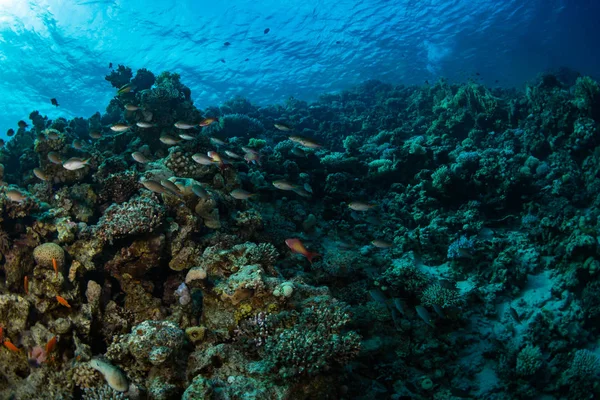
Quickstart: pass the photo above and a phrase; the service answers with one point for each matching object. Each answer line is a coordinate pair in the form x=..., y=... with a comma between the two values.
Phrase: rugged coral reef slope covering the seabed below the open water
x=385, y=242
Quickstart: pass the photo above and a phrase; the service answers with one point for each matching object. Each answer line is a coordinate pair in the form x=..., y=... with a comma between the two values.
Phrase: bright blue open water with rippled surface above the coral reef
x=62, y=49
